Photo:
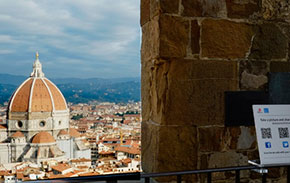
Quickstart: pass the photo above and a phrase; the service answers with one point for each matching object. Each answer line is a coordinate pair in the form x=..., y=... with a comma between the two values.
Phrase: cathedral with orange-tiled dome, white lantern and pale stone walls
x=38, y=124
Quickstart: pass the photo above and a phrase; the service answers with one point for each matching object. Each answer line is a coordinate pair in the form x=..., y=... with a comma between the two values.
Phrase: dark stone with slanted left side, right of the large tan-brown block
x=269, y=43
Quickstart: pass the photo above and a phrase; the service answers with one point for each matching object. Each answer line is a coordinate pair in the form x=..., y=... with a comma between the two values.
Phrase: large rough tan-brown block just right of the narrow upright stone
x=225, y=39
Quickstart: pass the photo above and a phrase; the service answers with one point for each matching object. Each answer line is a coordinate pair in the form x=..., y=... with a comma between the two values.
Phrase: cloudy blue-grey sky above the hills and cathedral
x=74, y=38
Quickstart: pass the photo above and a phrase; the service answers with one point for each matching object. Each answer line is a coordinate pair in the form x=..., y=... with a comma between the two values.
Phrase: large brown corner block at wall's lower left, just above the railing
x=168, y=148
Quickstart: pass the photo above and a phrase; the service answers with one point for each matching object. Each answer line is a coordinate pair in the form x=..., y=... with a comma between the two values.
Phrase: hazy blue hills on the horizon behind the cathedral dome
x=78, y=90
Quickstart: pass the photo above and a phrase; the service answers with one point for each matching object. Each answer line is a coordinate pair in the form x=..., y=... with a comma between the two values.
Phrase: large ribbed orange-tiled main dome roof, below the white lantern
x=40, y=92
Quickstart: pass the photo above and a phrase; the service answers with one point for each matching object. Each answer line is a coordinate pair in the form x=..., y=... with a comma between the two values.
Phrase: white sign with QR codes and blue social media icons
x=272, y=124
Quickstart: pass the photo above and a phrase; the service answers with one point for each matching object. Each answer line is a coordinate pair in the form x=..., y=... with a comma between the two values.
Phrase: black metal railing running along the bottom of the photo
x=113, y=178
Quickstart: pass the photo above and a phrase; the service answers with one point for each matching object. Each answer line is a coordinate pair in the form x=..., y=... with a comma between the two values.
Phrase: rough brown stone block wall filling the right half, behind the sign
x=192, y=52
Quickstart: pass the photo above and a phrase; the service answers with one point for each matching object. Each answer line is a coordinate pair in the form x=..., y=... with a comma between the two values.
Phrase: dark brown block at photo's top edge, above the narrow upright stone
x=205, y=8
